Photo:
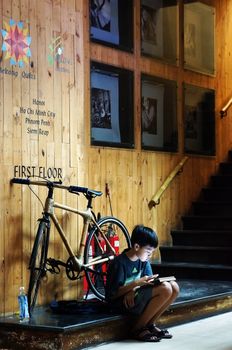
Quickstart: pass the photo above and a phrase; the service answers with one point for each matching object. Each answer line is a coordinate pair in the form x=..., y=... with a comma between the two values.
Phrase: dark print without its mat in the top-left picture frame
x=100, y=17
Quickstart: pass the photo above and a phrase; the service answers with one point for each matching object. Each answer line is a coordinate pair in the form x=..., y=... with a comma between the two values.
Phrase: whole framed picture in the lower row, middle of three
x=159, y=130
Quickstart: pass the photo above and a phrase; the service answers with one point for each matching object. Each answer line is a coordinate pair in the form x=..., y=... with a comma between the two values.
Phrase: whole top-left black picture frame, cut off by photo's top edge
x=111, y=23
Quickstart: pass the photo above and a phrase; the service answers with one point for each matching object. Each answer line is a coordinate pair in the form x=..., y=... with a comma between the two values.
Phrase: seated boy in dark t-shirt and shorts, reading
x=130, y=271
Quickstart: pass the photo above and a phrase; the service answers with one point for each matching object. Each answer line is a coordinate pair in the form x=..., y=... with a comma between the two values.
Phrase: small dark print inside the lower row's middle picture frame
x=149, y=115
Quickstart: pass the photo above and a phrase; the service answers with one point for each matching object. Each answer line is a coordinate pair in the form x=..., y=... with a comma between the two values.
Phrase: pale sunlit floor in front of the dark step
x=212, y=333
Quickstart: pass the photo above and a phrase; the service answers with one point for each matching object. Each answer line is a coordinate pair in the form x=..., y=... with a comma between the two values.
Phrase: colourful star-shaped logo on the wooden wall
x=16, y=43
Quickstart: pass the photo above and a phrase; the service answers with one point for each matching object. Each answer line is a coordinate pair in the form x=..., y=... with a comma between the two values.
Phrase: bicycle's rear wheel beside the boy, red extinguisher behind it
x=96, y=248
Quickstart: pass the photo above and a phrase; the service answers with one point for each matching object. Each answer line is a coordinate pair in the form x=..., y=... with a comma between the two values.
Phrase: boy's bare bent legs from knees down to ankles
x=163, y=296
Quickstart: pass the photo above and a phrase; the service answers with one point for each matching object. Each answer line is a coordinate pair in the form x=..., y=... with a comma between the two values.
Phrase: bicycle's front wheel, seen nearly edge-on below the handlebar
x=37, y=263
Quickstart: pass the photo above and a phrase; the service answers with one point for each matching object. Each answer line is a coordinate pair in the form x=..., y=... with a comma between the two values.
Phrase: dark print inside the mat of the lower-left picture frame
x=101, y=109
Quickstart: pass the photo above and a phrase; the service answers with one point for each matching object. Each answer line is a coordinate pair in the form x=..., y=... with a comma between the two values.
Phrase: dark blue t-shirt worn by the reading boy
x=123, y=271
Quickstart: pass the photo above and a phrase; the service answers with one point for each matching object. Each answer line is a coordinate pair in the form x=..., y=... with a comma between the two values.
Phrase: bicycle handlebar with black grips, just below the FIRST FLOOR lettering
x=71, y=189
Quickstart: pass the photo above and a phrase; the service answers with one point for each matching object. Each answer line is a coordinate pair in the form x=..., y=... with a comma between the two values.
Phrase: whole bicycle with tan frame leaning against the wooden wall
x=101, y=240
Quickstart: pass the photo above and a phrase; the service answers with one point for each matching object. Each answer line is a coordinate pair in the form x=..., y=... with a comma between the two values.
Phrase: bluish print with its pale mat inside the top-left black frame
x=104, y=20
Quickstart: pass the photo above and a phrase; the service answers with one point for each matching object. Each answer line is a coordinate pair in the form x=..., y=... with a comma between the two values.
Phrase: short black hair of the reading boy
x=143, y=235
